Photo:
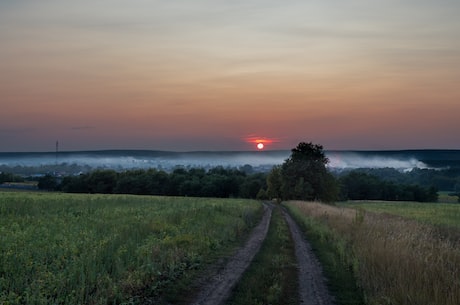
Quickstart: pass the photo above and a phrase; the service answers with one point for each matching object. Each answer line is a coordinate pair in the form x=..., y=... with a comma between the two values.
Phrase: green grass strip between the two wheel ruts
x=272, y=276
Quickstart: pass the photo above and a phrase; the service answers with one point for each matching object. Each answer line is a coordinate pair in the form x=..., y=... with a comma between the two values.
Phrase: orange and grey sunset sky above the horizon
x=187, y=75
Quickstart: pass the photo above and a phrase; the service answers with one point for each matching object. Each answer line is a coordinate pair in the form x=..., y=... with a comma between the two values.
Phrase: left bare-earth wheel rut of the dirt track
x=219, y=287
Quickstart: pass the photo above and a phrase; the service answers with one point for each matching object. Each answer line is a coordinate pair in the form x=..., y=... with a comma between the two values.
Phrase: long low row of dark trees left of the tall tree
x=196, y=182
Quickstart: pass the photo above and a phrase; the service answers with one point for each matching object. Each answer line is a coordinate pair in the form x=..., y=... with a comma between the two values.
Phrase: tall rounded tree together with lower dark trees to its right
x=304, y=176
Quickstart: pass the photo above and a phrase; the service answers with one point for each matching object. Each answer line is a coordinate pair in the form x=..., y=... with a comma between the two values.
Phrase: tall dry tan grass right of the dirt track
x=394, y=260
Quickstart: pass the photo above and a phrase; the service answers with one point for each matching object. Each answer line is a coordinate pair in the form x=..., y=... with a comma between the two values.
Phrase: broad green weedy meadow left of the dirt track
x=111, y=249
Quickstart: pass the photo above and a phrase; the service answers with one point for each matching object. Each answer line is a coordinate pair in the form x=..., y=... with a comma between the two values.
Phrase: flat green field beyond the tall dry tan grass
x=444, y=214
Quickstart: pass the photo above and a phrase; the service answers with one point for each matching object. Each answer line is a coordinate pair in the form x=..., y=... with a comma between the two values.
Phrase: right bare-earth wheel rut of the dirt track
x=312, y=284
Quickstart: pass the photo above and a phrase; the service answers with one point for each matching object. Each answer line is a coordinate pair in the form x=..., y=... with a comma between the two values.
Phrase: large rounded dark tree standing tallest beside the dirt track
x=304, y=176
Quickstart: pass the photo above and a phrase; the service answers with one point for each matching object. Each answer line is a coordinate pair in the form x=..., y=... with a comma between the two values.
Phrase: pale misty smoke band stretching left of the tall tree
x=121, y=160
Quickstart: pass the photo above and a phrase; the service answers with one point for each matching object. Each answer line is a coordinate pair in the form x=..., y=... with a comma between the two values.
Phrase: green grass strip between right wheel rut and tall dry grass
x=333, y=252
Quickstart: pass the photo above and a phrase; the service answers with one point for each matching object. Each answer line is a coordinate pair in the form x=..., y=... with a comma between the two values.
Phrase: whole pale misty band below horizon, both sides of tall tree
x=258, y=160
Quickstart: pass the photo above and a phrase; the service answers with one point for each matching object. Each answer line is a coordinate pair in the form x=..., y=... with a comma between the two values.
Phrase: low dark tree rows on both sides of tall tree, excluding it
x=362, y=184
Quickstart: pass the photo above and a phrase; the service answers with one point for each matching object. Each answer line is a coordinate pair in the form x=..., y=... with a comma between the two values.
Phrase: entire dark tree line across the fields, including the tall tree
x=303, y=176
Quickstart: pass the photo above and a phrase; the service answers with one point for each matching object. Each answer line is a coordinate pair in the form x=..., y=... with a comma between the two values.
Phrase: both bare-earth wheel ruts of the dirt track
x=312, y=287
